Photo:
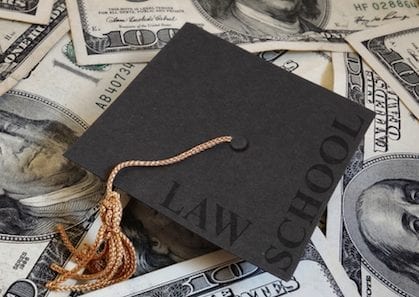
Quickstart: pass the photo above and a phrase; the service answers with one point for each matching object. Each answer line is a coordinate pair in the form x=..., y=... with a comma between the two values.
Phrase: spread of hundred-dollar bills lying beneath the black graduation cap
x=64, y=62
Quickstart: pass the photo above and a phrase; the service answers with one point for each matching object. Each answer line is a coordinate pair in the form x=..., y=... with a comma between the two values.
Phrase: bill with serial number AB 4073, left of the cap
x=38, y=187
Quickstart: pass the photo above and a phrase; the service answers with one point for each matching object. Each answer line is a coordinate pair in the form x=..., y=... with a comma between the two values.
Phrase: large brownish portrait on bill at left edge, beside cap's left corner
x=39, y=187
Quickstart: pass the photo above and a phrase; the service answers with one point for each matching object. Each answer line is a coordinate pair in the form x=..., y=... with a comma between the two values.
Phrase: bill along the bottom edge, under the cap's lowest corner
x=223, y=275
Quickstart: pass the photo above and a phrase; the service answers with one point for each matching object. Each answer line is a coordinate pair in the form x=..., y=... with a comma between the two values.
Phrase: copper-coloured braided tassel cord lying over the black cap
x=111, y=258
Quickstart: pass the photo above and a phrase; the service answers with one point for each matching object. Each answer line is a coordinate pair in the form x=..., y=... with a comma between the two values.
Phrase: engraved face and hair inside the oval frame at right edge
x=388, y=215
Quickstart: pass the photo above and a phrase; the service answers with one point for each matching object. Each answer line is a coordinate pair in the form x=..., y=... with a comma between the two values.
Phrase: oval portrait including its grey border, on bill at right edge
x=381, y=215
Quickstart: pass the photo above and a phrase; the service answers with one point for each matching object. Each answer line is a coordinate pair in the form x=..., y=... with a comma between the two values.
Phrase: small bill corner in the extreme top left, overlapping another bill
x=31, y=11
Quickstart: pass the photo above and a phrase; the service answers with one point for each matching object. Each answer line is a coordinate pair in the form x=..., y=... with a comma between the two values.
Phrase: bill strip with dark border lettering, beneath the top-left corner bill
x=23, y=45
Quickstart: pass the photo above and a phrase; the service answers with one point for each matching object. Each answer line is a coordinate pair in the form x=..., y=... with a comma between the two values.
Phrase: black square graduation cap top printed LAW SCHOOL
x=261, y=203
